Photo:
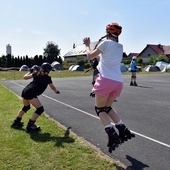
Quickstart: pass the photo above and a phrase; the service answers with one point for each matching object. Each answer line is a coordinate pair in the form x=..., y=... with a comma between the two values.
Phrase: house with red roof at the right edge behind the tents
x=154, y=50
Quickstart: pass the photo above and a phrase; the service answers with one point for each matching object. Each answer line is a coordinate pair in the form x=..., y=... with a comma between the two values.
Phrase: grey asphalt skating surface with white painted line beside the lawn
x=144, y=109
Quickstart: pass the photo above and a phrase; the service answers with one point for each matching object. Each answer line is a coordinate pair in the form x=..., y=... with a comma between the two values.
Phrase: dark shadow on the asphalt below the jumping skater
x=136, y=165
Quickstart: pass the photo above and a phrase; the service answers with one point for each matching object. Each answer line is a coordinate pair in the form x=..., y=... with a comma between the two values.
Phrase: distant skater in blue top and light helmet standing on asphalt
x=133, y=68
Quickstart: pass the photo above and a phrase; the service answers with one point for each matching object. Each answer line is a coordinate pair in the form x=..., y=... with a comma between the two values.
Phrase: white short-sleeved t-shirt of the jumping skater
x=110, y=60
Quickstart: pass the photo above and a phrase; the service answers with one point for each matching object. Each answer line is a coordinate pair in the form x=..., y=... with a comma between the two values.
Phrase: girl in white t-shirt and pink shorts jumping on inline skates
x=109, y=83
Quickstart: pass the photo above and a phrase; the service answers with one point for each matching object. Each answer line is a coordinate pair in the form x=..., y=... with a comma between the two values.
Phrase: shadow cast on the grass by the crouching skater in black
x=45, y=137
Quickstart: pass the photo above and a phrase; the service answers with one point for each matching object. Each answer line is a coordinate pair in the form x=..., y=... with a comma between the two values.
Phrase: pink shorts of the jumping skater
x=107, y=87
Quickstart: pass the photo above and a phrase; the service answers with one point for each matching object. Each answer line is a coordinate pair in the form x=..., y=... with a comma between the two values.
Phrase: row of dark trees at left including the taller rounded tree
x=51, y=53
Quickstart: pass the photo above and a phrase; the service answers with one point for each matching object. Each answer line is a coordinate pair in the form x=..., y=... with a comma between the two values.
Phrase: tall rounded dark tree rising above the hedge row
x=51, y=52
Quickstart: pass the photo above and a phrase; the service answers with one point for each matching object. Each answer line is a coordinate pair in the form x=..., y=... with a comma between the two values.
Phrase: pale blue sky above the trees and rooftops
x=29, y=24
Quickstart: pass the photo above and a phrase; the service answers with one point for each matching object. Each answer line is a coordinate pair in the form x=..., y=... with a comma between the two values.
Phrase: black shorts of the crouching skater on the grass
x=28, y=93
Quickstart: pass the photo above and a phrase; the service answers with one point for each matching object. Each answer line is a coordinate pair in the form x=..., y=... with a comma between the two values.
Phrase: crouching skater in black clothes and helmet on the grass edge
x=30, y=94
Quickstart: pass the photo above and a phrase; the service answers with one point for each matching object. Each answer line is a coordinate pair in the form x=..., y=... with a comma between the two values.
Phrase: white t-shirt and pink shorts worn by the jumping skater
x=109, y=81
